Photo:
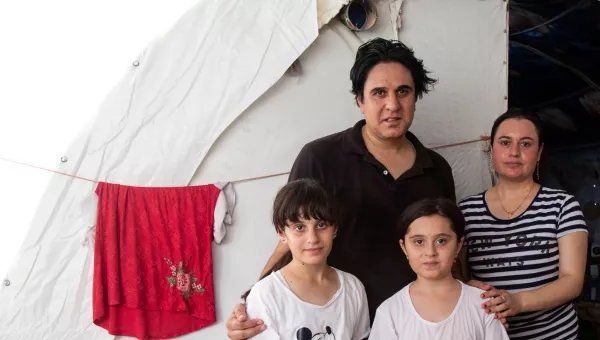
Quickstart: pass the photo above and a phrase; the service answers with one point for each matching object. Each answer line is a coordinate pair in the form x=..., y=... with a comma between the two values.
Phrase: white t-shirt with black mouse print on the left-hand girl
x=345, y=316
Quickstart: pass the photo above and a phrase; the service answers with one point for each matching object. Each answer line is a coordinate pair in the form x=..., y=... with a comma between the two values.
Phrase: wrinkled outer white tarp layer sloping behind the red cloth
x=153, y=129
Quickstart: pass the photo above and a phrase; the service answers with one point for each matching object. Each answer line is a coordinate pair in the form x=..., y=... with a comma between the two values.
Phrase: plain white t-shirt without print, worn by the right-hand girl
x=396, y=318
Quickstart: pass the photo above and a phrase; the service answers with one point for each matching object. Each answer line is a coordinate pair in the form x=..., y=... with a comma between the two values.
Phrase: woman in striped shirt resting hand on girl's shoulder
x=526, y=244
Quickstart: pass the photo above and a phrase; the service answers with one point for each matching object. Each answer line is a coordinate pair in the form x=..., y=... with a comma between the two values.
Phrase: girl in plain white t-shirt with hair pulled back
x=435, y=306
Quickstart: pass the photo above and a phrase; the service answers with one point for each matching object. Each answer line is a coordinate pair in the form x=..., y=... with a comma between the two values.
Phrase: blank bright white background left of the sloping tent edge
x=59, y=59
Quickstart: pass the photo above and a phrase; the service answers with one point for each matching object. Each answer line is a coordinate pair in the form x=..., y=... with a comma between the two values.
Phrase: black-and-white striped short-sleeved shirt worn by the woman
x=522, y=254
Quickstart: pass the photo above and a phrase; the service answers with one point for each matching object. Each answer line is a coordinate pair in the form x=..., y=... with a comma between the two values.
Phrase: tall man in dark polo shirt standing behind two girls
x=375, y=170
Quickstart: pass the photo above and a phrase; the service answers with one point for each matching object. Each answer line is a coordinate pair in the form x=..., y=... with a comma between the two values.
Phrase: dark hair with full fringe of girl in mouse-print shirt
x=297, y=200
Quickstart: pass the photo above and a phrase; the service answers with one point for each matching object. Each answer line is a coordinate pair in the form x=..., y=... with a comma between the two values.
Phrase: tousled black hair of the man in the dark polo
x=381, y=50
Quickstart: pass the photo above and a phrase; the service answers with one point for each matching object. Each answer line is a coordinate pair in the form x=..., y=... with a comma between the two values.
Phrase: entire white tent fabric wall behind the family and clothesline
x=152, y=109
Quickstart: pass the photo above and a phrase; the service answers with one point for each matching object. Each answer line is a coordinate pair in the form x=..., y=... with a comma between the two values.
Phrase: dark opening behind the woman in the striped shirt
x=554, y=71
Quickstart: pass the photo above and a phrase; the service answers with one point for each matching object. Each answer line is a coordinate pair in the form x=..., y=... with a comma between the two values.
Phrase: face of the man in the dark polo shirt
x=388, y=102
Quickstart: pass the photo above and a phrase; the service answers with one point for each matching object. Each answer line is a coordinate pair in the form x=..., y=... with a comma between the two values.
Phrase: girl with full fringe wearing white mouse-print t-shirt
x=302, y=298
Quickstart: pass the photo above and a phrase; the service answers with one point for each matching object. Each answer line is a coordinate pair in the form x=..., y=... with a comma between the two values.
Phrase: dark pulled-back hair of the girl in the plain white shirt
x=429, y=207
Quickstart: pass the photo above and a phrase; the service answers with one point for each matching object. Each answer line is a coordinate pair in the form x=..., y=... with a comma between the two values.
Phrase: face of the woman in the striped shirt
x=516, y=149
